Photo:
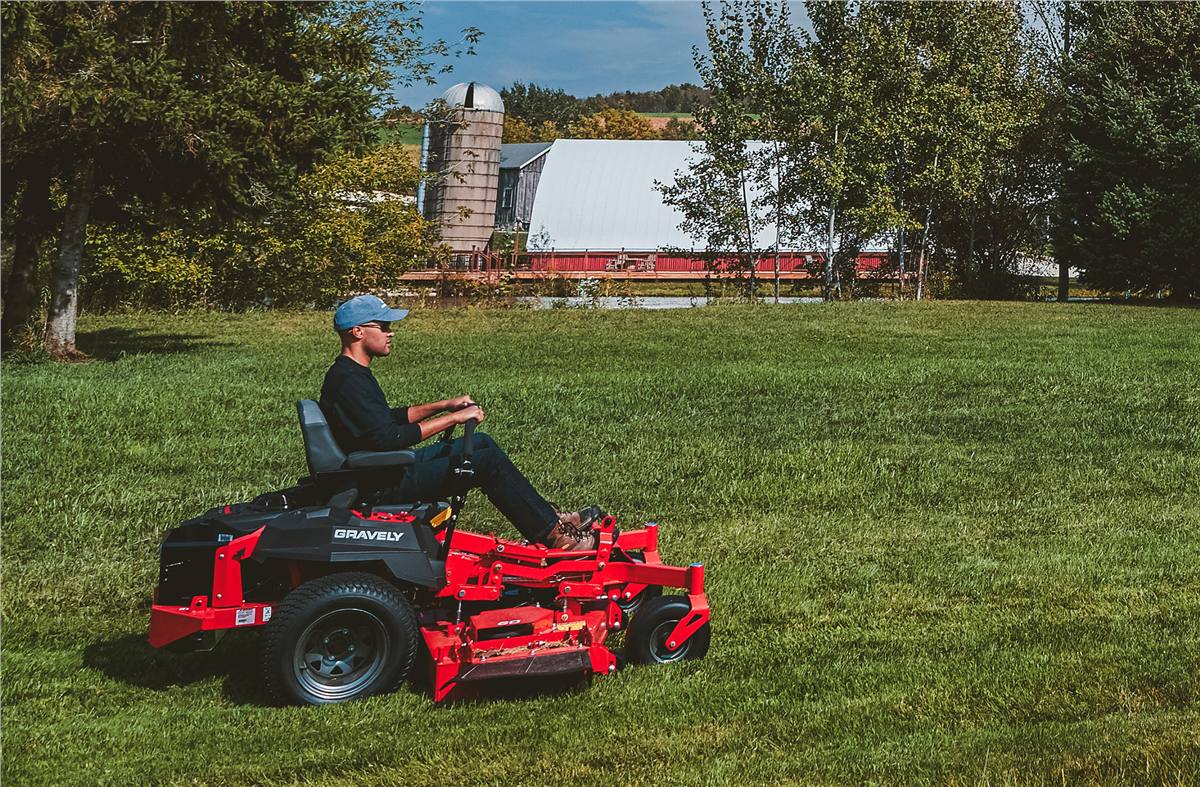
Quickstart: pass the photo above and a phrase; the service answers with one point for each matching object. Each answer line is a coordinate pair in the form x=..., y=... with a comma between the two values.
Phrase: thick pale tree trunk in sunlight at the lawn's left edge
x=64, y=311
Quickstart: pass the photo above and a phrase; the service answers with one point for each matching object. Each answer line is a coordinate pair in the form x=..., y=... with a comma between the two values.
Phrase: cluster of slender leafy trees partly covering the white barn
x=885, y=123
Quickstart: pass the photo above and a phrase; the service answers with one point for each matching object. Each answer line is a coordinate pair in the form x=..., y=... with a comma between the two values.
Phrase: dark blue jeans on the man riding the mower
x=433, y=479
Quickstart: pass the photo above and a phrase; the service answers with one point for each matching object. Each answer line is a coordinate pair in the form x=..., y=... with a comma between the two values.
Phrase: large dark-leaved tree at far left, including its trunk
x=182, y=110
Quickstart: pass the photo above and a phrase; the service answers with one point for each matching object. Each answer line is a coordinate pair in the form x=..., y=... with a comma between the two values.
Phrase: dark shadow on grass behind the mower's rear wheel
x=131, y=660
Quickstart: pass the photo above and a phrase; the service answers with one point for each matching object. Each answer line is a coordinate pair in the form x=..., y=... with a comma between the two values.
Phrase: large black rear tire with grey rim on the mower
x=341, y=638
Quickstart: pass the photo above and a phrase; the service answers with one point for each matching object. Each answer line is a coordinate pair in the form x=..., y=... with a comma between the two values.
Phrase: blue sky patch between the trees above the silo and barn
x=584, y=47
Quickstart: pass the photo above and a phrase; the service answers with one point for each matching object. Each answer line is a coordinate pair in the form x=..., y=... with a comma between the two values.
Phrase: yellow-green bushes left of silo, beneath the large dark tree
x=344, y=227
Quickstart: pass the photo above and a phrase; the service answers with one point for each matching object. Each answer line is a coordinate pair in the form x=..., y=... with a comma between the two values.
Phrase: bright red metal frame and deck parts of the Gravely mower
x=565, y=604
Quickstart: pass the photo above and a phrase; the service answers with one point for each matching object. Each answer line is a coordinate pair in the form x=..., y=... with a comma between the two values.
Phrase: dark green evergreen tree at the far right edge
x=1133, y=153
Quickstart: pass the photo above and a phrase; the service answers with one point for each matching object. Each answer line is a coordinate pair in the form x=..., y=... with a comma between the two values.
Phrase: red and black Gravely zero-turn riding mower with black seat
x=346, y=593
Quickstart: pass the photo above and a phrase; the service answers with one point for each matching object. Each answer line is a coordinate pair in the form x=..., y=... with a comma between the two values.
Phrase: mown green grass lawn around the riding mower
x=955, y=543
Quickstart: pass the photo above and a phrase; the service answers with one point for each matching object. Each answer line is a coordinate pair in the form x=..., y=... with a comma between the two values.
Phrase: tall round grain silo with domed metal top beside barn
x=465, y=152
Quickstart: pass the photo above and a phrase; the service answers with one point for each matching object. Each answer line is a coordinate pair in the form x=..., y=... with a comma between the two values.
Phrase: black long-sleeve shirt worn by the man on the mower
x=358, y=411
